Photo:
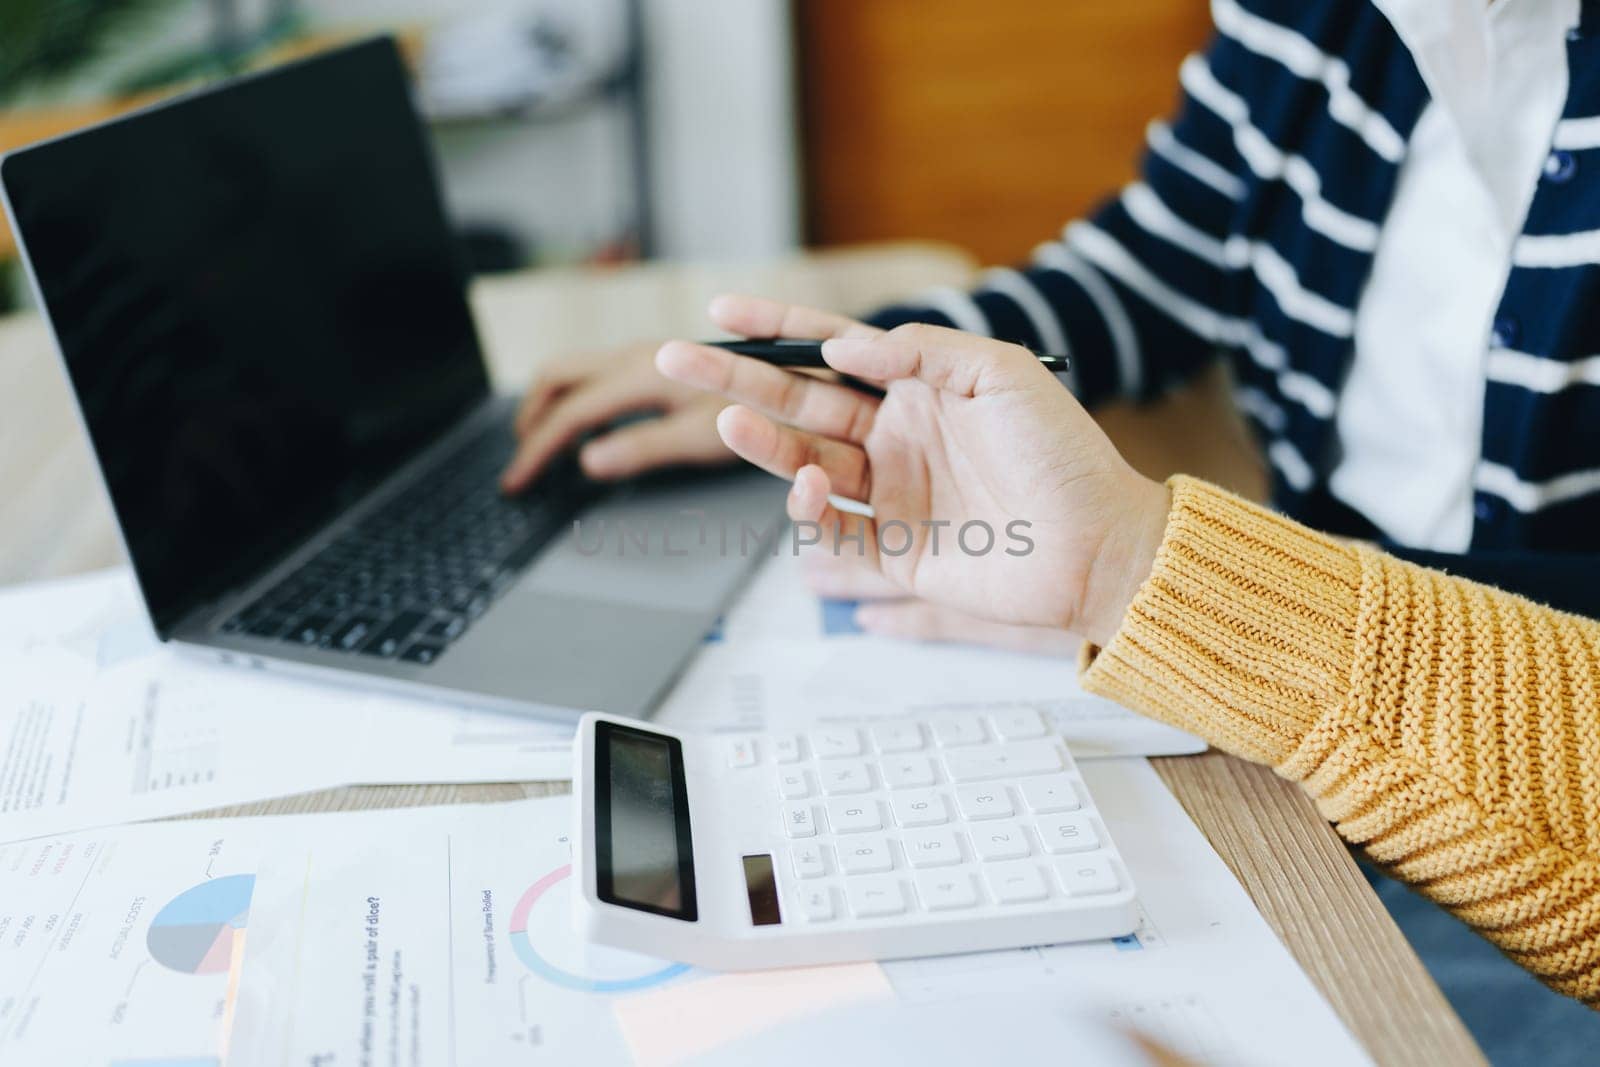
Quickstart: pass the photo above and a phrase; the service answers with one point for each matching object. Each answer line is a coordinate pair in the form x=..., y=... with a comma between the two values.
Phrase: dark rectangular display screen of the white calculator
x=644, y=853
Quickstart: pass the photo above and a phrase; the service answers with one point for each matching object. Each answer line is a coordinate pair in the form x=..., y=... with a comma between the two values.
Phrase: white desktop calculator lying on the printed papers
x=894, y=839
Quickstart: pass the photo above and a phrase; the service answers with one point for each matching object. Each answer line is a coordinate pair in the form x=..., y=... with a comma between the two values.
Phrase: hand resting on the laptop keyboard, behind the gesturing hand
x=588, y=391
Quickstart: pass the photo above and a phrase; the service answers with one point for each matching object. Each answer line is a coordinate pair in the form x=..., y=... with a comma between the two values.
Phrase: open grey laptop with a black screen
x=263, y=316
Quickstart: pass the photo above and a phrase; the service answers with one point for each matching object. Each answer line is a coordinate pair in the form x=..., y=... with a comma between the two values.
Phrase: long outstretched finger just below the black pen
x=807, y=402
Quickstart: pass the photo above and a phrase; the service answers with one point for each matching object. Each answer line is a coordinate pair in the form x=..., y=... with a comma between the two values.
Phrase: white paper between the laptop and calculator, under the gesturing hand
x=785, y=660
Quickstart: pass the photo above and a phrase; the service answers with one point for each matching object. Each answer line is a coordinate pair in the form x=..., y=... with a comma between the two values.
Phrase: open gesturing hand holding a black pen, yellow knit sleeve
x=974, y=434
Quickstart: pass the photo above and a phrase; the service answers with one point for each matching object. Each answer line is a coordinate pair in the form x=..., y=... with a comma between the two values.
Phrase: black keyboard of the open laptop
x=415, y=575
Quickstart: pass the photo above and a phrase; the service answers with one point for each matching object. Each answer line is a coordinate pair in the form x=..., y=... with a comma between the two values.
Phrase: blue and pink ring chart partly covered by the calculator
x=545, y=941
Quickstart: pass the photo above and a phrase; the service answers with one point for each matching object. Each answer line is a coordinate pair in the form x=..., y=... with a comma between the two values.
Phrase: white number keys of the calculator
x=956, y=813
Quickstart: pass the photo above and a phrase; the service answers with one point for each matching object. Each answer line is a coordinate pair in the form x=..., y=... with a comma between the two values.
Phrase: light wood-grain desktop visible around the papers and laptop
x=1294, y=866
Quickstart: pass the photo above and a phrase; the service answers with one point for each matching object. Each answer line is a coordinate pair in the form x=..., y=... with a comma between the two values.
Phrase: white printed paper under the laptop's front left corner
x=102, y=725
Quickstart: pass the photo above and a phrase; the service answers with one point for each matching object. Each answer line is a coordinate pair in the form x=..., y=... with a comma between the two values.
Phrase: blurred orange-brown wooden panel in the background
x=982, y=122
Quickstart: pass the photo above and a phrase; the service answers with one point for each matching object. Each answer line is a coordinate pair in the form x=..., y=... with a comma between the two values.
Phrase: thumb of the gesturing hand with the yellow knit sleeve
x=950, y=361
